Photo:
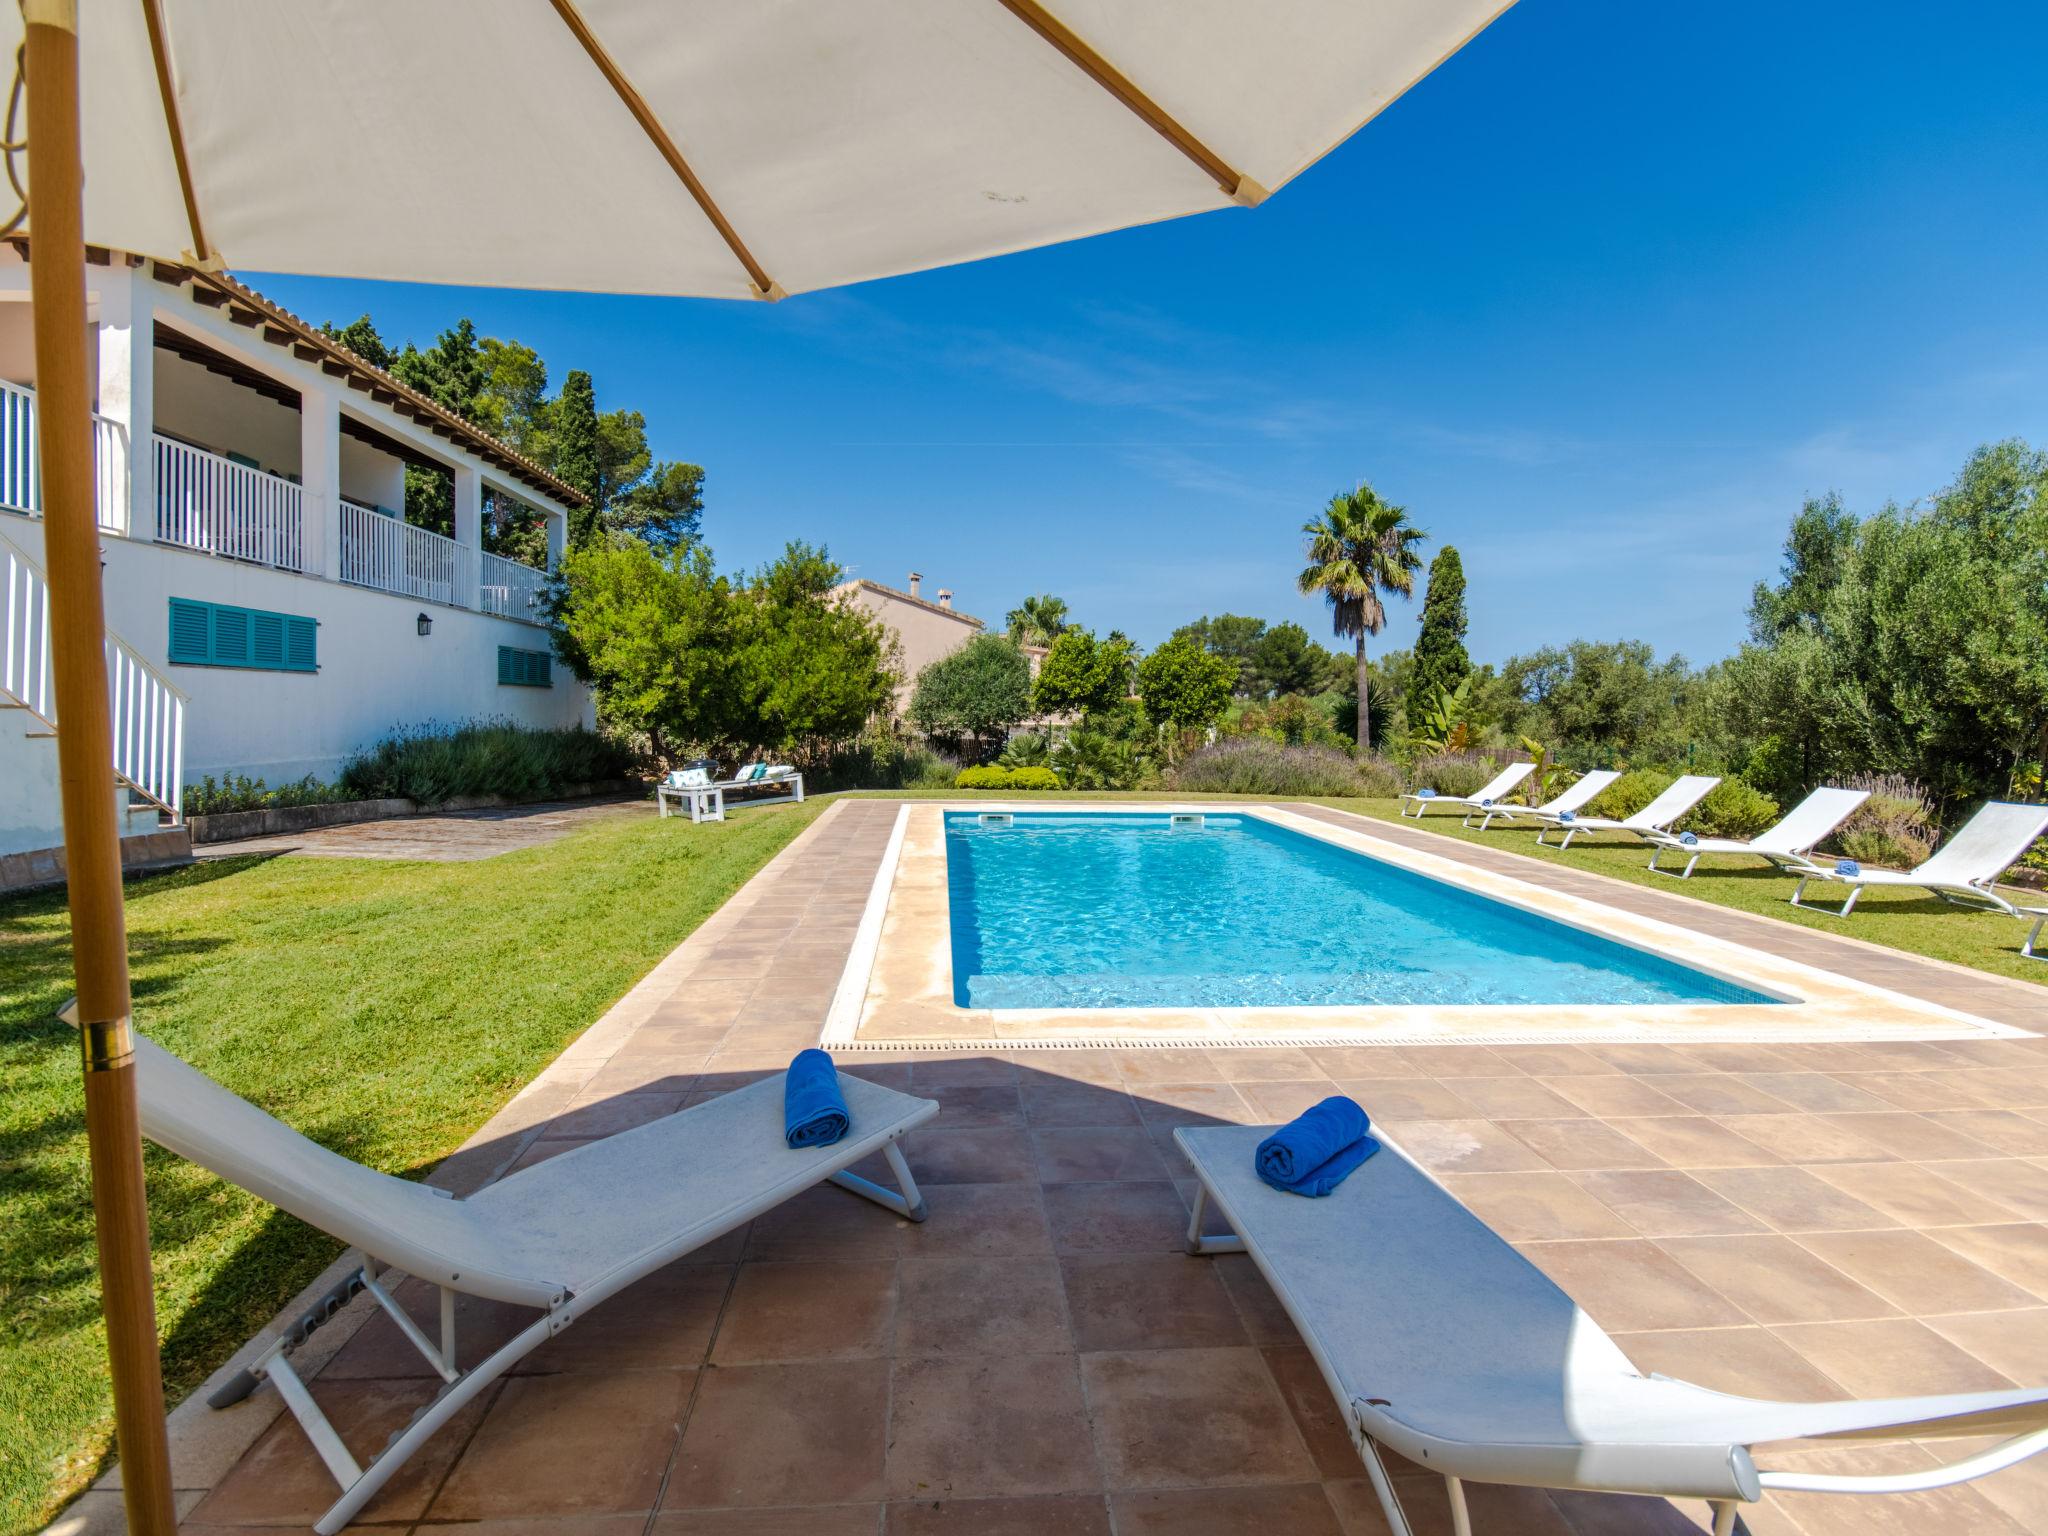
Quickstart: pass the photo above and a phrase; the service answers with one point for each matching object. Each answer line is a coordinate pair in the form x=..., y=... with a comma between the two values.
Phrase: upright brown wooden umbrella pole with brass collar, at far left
x=87, y=755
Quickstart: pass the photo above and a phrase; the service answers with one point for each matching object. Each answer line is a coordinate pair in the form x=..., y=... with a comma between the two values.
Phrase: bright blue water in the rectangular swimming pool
x=1132, y=912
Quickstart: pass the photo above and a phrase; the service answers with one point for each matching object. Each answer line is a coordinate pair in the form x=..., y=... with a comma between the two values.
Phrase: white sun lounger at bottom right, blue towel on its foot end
x=1447, y=1347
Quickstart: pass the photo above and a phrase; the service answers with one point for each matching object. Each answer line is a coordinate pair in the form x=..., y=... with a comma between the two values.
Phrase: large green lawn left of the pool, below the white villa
x=384, y=1009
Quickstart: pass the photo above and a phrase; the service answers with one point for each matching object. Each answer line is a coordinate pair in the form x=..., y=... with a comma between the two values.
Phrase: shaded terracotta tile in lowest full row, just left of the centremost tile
x=785, y=1435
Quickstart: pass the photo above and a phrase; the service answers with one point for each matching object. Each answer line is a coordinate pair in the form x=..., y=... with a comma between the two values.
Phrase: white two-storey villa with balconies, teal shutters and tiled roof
x=269, y=607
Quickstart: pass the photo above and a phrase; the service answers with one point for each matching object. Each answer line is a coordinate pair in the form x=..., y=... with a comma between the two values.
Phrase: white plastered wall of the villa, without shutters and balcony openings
x=376, y=671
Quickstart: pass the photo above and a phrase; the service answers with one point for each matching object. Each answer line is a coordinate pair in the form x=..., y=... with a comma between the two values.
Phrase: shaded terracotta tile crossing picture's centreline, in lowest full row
x=984, y=1426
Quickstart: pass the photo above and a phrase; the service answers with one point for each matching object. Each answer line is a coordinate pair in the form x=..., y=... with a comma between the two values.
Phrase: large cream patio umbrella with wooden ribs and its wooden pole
x=718, y=148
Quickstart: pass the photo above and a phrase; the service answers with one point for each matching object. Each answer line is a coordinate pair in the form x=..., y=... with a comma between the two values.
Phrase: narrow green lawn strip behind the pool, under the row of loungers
x=1906, y=921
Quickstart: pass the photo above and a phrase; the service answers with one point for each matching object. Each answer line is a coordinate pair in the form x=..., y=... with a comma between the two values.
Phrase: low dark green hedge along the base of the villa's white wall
x=433, y=765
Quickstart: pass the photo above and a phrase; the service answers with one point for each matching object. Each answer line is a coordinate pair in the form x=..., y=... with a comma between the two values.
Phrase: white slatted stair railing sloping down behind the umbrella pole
x=148, y=710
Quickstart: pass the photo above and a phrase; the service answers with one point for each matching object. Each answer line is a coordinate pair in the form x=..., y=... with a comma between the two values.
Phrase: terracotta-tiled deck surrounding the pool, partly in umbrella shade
x=1041, y=1357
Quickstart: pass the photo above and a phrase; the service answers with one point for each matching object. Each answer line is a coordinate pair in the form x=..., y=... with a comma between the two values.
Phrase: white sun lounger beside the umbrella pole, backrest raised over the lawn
x=560, y=1236
